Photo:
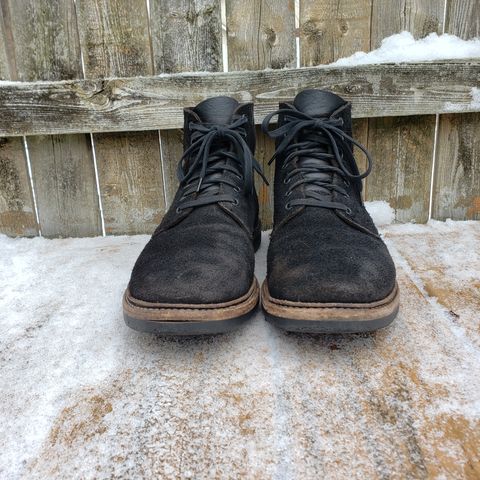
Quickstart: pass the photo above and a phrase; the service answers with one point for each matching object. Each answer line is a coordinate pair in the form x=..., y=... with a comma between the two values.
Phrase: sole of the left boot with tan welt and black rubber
x=190, y=319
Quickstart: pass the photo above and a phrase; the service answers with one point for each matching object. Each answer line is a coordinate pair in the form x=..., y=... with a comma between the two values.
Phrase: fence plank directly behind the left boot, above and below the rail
x=186, y=37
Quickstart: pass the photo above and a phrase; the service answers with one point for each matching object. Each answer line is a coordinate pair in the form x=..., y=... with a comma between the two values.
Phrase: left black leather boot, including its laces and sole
x=196, y=274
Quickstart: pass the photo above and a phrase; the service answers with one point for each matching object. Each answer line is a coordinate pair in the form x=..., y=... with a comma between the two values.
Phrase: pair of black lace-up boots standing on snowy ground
x=328, y=270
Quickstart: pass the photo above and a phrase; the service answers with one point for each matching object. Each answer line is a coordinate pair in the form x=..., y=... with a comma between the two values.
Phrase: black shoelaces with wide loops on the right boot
x=321, y=133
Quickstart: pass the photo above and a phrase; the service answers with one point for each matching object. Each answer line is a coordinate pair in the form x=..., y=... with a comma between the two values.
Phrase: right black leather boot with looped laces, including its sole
x=328, y=269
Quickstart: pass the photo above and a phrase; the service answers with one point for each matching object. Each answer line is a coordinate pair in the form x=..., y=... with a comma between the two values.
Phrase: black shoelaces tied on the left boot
x=209, y=153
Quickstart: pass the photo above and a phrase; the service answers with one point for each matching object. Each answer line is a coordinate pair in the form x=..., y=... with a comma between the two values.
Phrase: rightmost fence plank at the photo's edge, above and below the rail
x=457, y=167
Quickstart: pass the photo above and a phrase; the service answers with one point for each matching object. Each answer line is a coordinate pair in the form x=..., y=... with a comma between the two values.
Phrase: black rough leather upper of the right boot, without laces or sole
x=323, y=255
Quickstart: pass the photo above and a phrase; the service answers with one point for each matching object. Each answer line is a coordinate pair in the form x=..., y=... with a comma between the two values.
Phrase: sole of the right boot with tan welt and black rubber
x=330, y=317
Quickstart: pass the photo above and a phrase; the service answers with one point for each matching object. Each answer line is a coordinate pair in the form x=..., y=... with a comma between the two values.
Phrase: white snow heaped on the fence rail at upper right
x=403, y=47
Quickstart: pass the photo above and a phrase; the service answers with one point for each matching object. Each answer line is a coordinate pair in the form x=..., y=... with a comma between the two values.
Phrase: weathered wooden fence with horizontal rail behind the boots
x=90, y=131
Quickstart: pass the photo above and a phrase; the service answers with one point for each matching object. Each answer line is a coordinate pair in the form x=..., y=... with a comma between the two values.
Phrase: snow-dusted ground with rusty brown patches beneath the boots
x=82, y=396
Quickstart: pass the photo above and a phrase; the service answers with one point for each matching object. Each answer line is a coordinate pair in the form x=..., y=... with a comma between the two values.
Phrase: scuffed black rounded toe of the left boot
x=197, y=269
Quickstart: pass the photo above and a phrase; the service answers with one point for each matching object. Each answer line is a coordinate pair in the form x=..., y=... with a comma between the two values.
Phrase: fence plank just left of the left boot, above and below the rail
x=116, y=42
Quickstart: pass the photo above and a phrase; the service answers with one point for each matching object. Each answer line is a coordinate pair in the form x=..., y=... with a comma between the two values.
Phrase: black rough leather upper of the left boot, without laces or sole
x=203, y=254
